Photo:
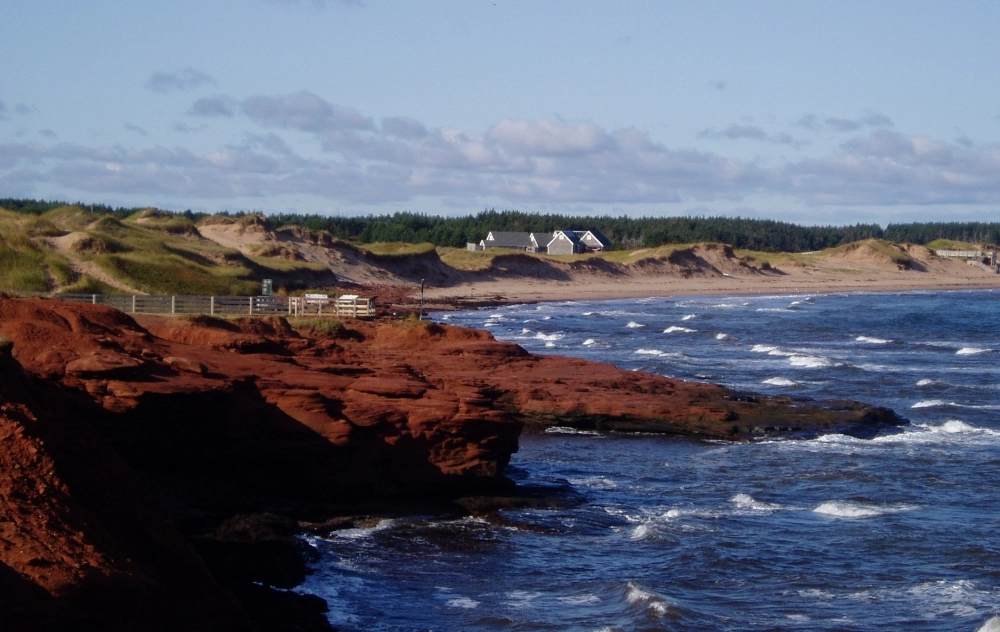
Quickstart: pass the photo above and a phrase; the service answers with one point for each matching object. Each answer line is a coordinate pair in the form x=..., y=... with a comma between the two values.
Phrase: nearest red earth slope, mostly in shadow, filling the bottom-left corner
x=82, y=544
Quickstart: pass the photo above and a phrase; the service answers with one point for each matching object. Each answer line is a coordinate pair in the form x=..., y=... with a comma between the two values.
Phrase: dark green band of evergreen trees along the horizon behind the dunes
x=624, y=232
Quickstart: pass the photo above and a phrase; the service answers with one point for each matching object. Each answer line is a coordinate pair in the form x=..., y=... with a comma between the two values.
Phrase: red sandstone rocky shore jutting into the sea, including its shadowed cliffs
x=156, y=473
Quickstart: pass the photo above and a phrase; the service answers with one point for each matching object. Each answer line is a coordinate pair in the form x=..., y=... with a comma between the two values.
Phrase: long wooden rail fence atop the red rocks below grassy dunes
x=349, y=306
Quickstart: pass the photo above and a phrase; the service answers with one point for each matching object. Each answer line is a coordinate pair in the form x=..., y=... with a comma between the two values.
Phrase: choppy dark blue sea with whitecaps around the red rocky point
x=901, y=532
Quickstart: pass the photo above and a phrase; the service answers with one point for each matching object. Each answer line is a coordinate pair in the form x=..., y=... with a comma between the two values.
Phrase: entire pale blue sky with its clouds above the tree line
x=818, y=113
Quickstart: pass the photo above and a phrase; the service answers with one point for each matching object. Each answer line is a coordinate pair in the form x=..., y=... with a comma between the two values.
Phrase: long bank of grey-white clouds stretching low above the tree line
x=299, y=143
